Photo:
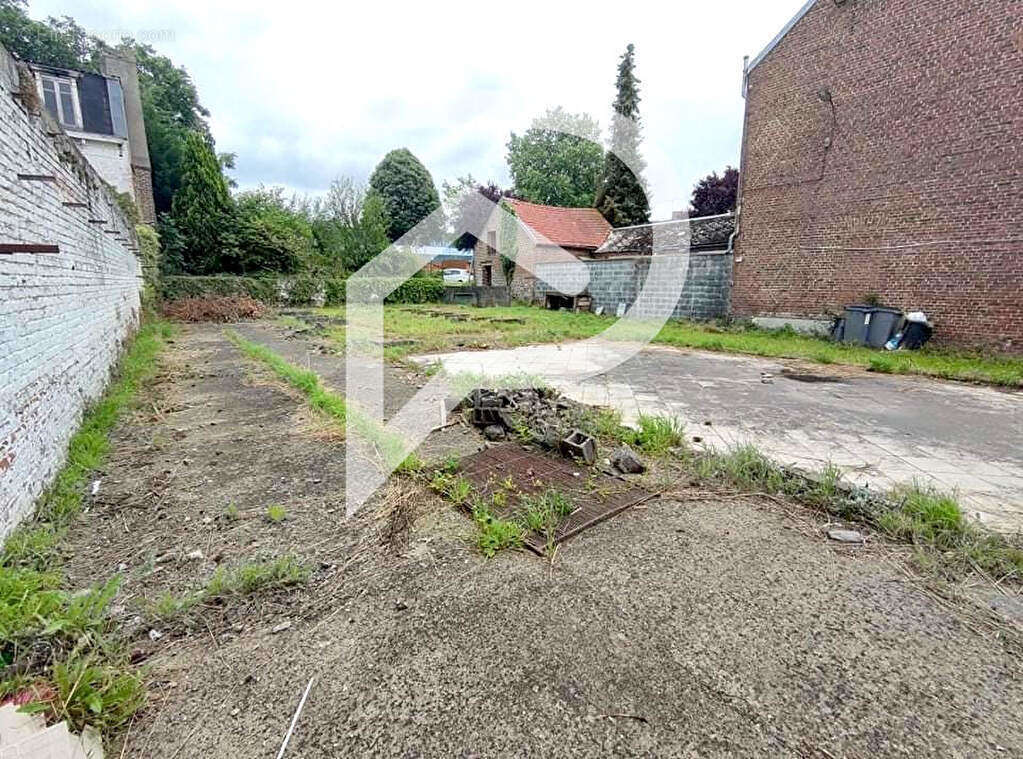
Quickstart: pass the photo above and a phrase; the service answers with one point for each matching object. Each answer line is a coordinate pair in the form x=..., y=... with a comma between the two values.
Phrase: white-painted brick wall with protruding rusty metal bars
x=64, y=318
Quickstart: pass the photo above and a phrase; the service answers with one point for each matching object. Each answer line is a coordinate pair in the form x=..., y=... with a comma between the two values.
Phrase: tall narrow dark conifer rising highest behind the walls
x=622, y=195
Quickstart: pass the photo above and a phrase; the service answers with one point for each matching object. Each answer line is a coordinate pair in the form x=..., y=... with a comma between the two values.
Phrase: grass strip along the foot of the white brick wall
x=58, y=643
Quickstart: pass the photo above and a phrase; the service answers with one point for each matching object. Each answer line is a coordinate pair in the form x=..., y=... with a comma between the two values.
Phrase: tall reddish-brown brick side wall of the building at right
x=920, y=150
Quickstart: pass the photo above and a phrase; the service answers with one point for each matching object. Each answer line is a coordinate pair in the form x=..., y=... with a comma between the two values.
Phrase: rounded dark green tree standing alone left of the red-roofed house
x=407, y=191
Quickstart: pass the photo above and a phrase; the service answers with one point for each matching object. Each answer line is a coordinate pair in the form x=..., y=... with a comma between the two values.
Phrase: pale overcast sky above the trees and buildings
x=305, y=92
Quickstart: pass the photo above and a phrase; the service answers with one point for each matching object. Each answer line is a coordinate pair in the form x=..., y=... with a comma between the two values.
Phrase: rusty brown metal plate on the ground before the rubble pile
x=596, y=497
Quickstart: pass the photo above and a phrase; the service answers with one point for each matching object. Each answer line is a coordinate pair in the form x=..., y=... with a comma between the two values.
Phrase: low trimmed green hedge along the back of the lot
x=300, y=291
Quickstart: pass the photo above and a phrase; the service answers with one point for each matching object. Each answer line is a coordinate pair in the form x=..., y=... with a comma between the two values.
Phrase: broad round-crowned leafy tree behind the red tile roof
x=558, y=160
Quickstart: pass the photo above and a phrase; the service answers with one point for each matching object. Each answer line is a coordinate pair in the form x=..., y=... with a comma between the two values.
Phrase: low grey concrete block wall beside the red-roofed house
x=620, y=280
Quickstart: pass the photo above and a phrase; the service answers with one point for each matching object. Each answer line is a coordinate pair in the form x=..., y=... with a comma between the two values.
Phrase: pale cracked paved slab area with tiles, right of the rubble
x=880, y=430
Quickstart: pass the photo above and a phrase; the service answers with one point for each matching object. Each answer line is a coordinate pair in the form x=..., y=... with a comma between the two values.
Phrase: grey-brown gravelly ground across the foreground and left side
x=689, y=627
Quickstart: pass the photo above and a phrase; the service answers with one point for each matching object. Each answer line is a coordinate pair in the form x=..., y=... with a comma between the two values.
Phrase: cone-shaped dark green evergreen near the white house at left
x=203, y=212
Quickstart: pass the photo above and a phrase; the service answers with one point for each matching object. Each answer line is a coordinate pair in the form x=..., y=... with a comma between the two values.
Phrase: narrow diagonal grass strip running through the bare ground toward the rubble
x=391, y=447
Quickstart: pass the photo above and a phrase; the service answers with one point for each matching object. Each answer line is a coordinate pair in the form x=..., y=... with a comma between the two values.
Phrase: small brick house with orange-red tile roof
x=544, y=234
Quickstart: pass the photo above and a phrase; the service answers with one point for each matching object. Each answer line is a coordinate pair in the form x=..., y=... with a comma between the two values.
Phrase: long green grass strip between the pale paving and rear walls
x=438, y=329
